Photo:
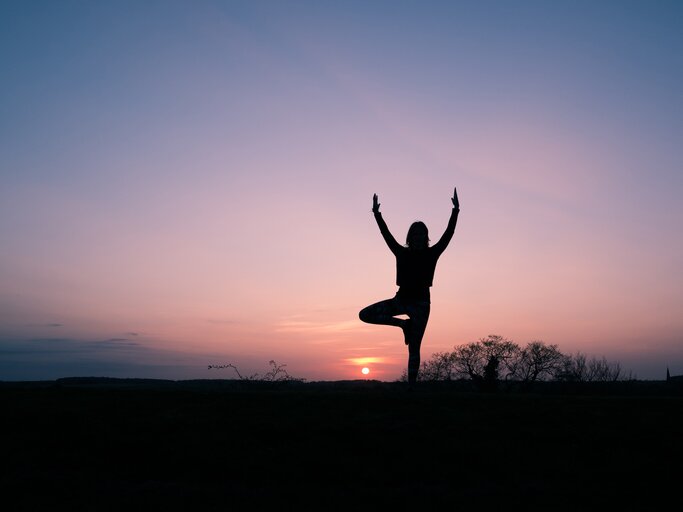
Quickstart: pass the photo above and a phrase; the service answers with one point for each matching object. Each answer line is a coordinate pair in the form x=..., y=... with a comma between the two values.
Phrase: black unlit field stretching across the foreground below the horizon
x=224, y=445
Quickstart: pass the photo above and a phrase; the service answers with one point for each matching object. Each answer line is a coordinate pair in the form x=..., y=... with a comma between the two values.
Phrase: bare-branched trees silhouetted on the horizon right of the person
x=495, y=358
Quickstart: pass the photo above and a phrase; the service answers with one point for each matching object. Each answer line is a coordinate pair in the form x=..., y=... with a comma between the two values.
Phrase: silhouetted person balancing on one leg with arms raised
x=415, y=265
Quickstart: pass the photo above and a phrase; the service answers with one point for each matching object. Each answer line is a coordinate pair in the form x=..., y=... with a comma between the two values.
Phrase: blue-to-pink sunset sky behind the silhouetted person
x=185, y=184
